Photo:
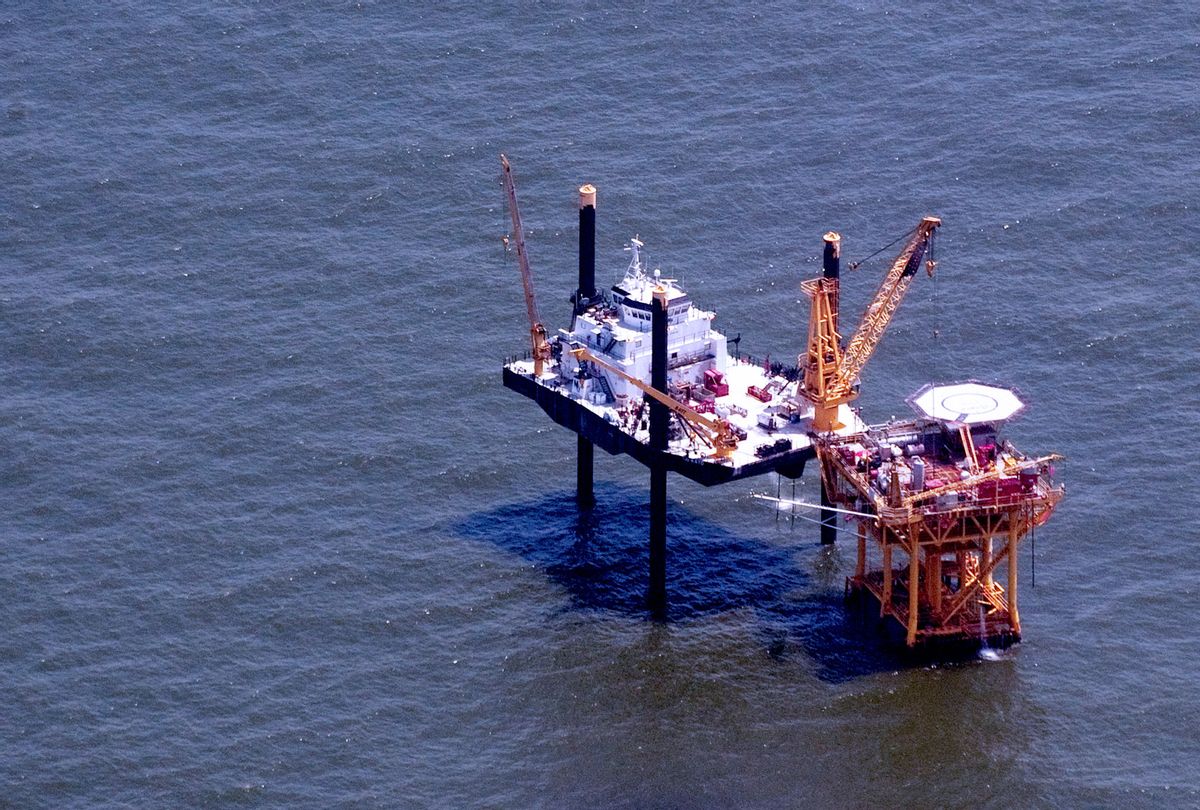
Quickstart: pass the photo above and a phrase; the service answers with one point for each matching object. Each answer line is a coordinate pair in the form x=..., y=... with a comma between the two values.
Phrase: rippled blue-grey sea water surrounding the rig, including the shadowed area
x=274, y=535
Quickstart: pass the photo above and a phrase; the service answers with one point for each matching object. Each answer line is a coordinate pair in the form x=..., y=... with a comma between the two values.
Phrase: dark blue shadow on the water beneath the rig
x=601, y=559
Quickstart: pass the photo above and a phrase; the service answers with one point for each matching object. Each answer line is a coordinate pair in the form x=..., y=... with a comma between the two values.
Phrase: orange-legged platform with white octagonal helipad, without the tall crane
x=951, y=500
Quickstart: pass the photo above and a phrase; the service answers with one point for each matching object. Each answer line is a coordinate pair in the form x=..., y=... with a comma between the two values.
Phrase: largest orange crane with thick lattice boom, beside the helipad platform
x=831, y=374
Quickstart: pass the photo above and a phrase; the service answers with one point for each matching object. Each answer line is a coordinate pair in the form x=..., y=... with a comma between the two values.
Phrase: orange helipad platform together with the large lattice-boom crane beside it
x=940, y=503
